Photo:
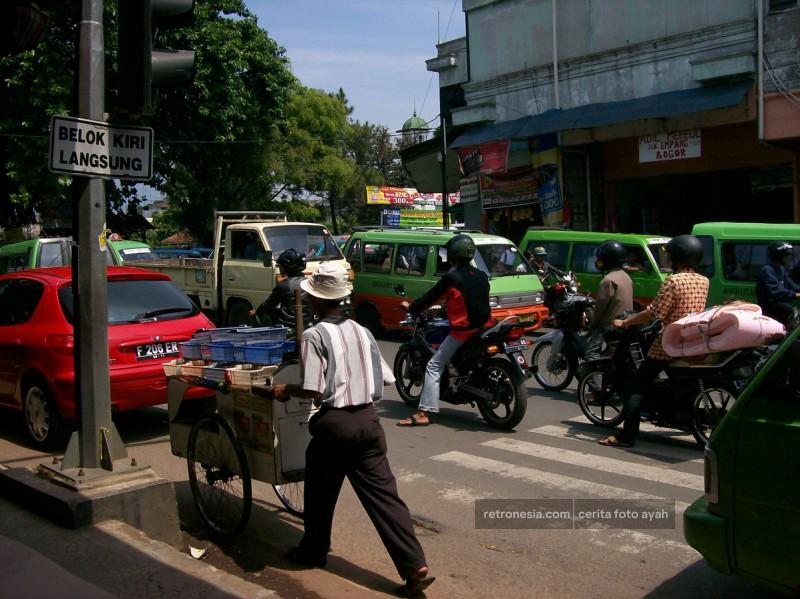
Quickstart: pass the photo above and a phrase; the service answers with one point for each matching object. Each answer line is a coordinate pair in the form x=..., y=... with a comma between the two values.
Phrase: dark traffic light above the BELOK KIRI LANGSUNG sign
x=140, y=66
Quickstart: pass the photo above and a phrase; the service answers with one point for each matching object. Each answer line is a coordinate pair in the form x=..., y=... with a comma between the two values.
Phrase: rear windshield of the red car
x=137, y=301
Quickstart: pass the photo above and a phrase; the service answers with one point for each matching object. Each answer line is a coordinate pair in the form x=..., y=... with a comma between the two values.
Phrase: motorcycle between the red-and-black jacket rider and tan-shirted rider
x=556, y=355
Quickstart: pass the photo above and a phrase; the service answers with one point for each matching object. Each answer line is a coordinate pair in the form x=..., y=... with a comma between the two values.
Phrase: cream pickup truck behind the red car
x=241, y=272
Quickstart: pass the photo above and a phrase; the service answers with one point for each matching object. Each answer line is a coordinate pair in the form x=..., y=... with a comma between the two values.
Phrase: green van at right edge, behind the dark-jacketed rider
x=735, y=253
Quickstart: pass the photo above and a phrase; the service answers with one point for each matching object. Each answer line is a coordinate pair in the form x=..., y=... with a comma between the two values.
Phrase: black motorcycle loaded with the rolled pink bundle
x=692, y=395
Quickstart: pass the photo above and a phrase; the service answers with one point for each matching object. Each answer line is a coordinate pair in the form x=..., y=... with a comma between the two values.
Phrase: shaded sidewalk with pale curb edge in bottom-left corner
x=41, y=560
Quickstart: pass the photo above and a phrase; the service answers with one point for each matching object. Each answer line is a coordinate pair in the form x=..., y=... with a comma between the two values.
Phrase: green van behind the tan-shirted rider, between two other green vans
x=574, y=251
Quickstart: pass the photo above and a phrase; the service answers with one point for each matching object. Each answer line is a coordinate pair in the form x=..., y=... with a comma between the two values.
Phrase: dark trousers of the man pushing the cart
x=351, y=442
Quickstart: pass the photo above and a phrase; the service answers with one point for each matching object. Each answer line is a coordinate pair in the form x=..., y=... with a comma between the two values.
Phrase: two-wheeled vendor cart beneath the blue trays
x=237, y=435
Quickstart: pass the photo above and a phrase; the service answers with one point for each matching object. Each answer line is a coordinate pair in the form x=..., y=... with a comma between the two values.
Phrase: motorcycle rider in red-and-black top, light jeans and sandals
x=465, y=289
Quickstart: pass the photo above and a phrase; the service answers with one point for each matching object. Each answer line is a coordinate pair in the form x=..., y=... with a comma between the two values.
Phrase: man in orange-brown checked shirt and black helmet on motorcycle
x=682, y=293
